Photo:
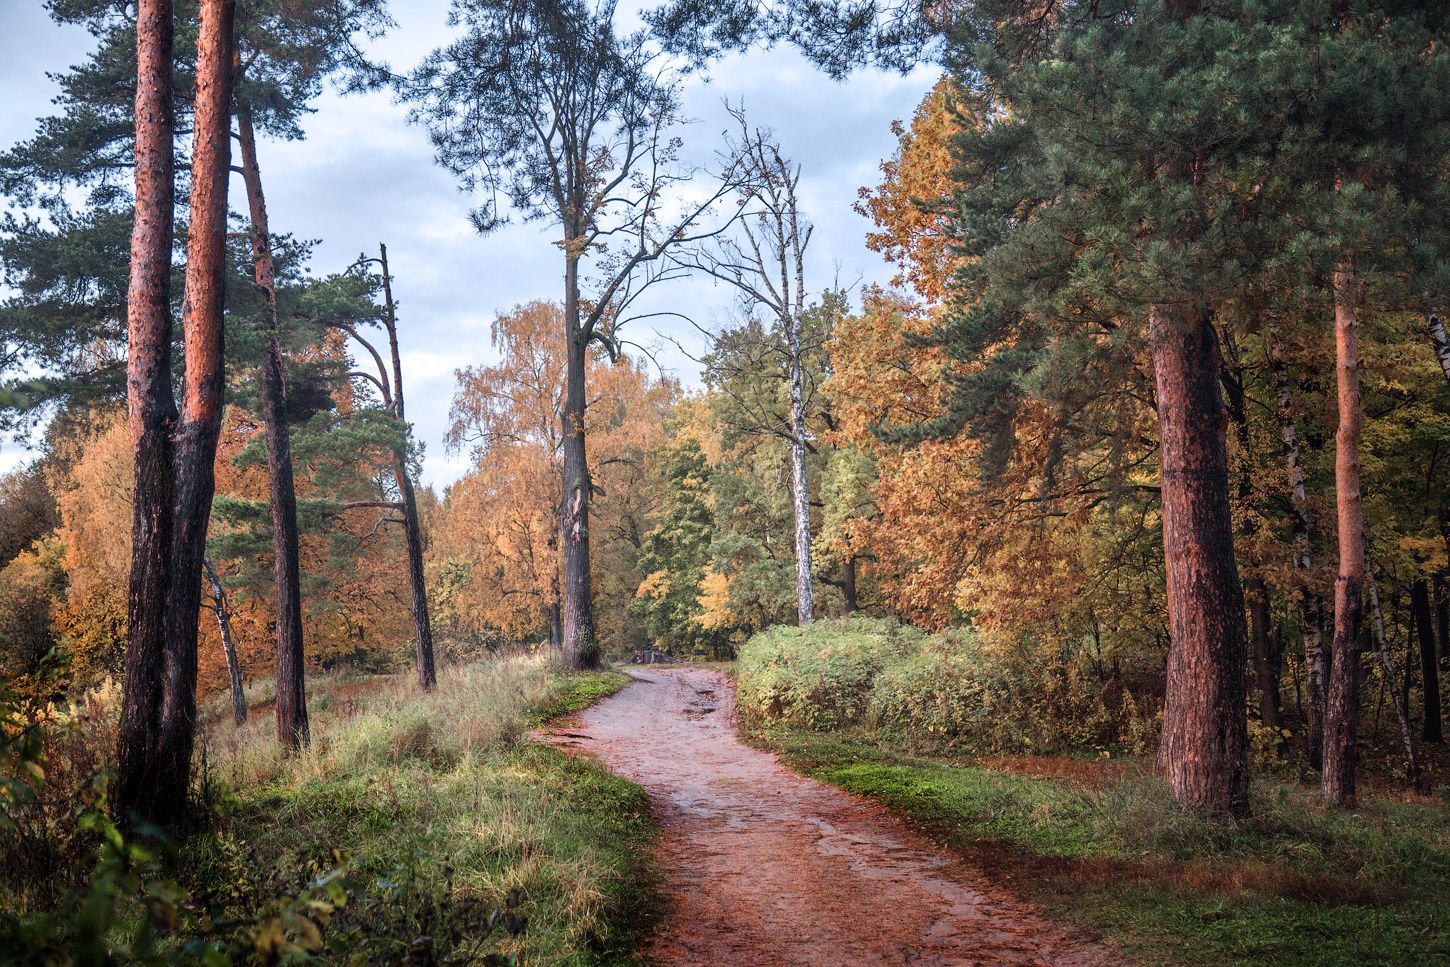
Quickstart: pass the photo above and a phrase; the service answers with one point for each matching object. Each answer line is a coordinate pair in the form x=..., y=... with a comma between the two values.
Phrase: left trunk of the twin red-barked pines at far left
x=144, y=787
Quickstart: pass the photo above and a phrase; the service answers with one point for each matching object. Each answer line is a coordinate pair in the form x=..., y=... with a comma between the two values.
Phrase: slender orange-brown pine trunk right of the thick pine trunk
x=1342, y=710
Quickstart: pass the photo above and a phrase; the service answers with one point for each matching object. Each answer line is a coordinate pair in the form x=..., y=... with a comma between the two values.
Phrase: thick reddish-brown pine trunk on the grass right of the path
x=1204, y=749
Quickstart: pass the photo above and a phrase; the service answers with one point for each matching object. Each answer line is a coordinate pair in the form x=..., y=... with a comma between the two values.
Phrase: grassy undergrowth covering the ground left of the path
x=414, y=830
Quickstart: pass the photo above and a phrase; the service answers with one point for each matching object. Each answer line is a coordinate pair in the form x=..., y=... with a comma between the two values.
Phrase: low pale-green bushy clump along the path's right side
x=943, y=692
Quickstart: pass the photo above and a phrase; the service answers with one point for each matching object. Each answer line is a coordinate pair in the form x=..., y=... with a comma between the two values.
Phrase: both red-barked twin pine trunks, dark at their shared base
x=175, y=450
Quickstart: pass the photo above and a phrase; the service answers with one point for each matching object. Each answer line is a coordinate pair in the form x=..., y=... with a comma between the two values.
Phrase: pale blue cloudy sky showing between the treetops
x=365, y=176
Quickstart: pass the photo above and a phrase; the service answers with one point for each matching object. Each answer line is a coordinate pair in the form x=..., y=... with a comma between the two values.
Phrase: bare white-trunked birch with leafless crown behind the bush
x=765, y=262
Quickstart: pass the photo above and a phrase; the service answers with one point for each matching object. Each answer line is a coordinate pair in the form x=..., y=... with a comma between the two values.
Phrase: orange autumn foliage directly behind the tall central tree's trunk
x=495, y=550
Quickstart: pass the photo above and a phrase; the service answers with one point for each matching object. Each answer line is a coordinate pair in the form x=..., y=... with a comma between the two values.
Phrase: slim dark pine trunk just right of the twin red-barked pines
x=292, y=697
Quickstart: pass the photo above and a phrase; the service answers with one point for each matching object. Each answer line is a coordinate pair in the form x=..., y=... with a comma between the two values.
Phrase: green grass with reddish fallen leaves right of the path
x=1293, y=885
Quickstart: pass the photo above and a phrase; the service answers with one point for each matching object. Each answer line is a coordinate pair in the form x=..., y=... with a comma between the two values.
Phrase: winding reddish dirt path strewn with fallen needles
x=766, y=868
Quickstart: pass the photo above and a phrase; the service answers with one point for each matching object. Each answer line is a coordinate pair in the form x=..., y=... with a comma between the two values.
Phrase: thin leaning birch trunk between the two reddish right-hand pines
x=1312, y=607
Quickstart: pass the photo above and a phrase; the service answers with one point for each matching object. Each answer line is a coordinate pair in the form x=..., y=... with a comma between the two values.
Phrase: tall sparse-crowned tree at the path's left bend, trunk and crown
x=544, y=109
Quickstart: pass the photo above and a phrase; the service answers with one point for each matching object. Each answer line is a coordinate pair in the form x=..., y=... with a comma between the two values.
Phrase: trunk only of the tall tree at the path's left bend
x=581, y=649
